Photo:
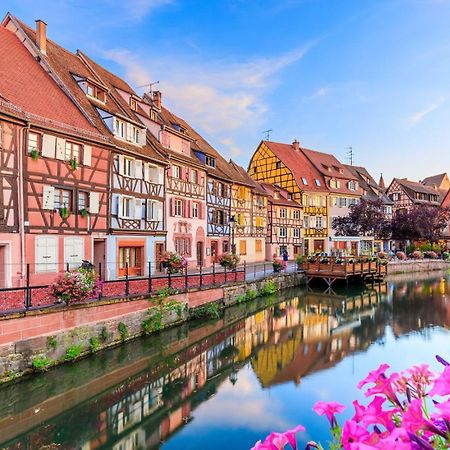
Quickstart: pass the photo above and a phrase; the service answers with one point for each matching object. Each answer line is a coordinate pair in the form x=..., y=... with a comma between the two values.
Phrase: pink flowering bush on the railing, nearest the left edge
x=76, y=286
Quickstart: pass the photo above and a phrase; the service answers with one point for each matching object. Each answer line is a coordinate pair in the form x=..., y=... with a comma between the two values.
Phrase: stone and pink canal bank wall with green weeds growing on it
x=39, y=340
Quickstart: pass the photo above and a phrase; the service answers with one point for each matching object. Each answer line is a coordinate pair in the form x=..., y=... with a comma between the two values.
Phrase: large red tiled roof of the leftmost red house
x=25, y=84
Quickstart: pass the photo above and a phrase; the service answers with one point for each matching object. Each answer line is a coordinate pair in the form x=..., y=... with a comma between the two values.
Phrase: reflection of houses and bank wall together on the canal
x=140, y=395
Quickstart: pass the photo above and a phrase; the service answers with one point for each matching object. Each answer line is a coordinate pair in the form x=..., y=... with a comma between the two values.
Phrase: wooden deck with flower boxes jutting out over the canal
x=346, y=269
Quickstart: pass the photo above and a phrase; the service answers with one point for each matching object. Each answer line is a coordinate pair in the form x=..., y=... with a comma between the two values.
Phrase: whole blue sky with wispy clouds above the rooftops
x=373, y=75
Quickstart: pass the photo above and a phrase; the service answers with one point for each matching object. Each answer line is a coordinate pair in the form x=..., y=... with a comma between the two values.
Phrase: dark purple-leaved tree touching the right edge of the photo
x=420, y=222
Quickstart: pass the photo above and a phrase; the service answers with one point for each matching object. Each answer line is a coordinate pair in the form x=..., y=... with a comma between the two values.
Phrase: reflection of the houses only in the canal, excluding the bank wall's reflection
x=283, y=343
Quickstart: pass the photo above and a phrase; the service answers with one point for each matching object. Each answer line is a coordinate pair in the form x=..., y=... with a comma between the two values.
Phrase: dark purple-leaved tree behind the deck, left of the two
x=366, y=218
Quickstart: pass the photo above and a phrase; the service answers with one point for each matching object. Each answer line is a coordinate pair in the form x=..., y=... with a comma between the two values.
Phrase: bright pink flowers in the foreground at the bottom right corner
x=408, y=410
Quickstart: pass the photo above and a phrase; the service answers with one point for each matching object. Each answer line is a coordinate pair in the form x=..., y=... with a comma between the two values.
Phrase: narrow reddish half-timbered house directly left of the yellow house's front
x=283, y=223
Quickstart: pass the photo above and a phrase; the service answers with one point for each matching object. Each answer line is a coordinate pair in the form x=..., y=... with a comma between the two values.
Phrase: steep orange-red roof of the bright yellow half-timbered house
x=299, y=165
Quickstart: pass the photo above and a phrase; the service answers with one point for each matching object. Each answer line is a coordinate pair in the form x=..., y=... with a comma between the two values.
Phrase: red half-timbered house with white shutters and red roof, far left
x=62, y=161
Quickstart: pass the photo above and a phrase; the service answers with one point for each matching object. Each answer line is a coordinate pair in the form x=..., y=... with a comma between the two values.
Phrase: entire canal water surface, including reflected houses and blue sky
x=227, y=383
